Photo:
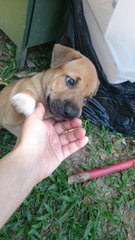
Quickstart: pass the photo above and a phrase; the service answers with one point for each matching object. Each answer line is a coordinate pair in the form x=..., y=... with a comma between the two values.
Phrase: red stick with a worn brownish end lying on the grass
x=95, y=173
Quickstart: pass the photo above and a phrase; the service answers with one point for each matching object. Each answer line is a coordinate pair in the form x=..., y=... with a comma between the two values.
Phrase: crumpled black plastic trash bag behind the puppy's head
x=114, y=105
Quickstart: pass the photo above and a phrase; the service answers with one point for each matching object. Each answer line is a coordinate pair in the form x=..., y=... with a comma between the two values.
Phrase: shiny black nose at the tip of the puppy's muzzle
x=70, y=110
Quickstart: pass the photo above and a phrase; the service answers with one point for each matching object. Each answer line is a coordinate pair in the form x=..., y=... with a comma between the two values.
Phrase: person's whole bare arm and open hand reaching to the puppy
x=41, y=147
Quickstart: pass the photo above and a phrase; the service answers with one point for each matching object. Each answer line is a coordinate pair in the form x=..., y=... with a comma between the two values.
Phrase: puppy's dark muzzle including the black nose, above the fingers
x=63, y=110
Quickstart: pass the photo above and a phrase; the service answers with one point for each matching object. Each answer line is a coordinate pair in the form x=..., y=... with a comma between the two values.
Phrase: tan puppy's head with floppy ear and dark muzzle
x=72, y=80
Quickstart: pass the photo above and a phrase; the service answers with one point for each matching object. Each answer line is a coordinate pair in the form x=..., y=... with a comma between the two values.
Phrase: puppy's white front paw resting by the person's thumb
x=23, y=103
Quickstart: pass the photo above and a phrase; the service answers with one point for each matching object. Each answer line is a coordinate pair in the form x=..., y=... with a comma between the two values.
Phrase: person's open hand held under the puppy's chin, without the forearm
x=45, y=143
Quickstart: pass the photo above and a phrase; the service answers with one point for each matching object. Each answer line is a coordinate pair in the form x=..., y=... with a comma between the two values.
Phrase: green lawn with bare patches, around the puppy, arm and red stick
x=102, y=209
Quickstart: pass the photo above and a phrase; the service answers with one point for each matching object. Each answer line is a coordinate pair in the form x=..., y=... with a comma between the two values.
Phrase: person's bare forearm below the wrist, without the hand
x=16, y=182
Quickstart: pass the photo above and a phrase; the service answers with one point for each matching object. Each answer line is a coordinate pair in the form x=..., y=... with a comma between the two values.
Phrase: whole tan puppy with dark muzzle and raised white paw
x=63, y=89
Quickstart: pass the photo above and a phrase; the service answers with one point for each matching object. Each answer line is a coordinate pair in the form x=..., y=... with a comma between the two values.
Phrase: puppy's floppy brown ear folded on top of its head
x=62, y=55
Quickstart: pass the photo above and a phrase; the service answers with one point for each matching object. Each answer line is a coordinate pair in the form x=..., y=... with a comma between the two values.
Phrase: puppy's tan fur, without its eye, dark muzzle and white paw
x=65, y=62
